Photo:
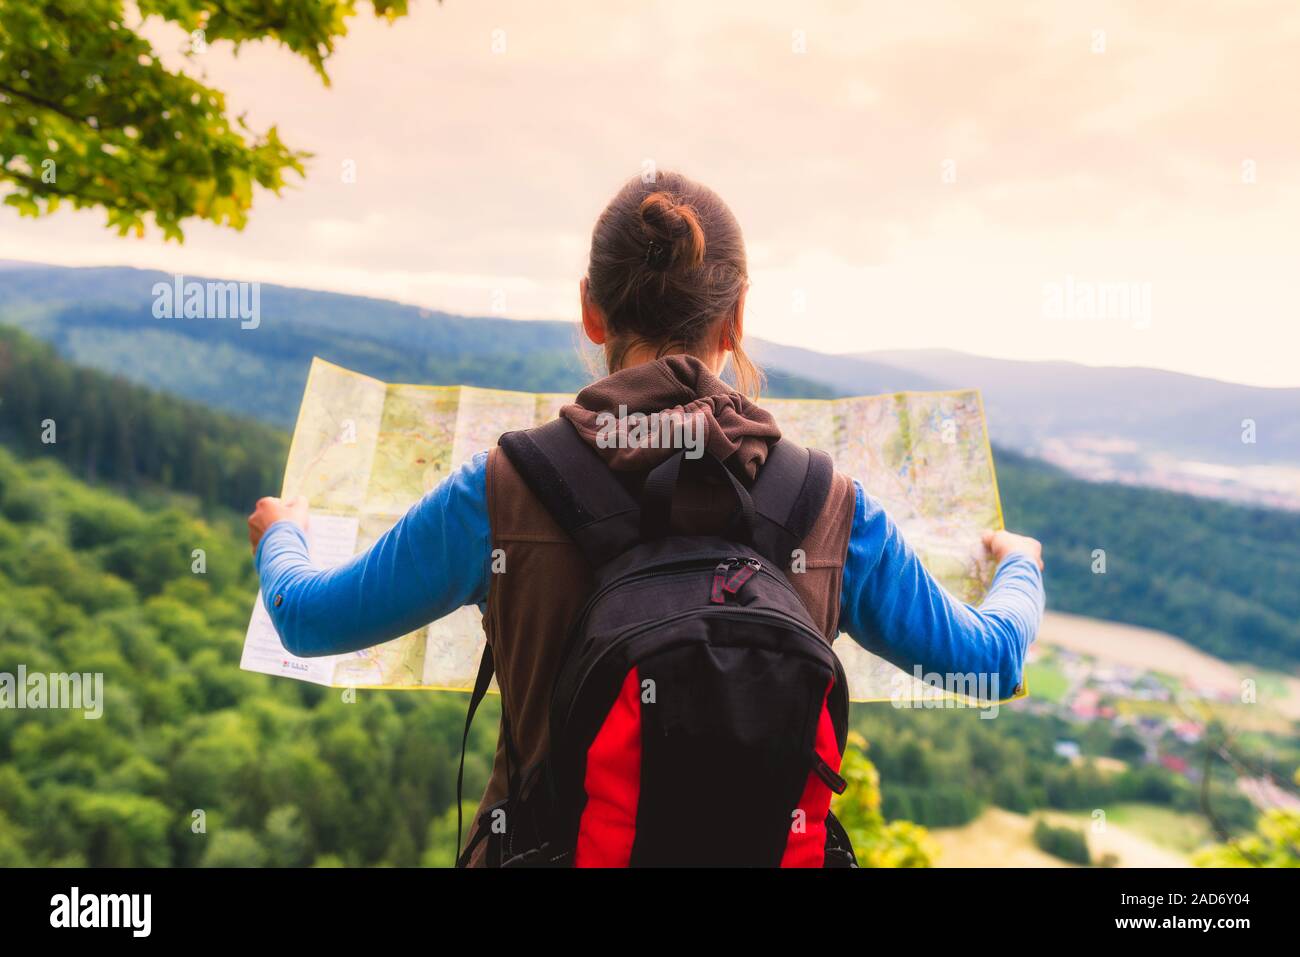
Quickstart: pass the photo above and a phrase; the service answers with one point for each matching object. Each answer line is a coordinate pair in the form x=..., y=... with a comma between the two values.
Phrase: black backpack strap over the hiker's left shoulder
x=577, y=488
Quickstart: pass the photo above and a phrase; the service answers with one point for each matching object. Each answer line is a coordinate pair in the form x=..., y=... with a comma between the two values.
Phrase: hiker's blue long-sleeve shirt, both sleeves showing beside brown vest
x=437, y=558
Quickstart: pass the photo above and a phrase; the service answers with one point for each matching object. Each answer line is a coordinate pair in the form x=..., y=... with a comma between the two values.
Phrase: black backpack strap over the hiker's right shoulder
x=788, y=497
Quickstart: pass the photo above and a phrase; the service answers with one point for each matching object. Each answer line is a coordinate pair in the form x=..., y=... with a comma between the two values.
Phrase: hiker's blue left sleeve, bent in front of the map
x=436, y=560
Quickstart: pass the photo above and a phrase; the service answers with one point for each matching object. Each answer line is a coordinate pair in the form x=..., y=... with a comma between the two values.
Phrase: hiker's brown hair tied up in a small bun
x=668, y=265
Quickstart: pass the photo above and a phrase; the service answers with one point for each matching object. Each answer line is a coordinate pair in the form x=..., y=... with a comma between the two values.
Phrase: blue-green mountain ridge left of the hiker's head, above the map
x=105, y=319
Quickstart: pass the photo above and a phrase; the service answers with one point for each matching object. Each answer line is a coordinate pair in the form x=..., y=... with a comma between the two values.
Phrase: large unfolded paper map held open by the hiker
x=365, y=452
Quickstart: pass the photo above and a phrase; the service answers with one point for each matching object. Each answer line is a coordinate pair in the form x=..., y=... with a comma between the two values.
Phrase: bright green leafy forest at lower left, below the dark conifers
x=194, y=761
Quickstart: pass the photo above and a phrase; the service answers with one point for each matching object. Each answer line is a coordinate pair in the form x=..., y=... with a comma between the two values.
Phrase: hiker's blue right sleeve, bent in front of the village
x=895, y=609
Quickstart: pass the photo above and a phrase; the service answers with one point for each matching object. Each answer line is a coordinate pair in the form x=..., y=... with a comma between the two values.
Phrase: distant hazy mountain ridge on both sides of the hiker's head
x=1116, y=425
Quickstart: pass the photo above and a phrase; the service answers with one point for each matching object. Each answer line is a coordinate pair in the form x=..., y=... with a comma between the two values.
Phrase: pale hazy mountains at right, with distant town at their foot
x=1138, y=426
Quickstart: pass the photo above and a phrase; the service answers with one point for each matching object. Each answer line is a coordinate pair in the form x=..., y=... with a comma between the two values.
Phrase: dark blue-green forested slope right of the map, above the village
x=1220, y=577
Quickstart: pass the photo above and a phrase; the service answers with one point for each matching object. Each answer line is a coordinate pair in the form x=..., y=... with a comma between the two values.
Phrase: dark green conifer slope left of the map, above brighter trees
x=111, y=431
